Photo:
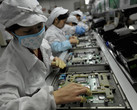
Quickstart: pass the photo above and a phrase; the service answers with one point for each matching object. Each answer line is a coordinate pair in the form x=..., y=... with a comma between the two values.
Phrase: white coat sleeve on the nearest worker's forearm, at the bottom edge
x=42, y=100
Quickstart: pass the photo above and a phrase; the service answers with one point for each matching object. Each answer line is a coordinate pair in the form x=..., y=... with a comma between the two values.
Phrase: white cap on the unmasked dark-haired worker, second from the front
x=54, y=14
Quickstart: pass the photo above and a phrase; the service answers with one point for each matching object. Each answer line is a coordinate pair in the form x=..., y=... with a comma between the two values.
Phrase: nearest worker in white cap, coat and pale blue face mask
x=22, y=71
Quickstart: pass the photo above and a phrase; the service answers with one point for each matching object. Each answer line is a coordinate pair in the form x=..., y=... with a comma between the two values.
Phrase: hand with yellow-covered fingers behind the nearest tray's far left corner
x=58, y=63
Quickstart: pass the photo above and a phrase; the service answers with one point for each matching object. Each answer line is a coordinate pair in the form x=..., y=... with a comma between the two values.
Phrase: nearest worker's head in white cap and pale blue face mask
x=24, y=20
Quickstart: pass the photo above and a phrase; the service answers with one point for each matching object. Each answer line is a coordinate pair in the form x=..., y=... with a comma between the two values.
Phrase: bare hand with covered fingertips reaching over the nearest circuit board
x=71, y=93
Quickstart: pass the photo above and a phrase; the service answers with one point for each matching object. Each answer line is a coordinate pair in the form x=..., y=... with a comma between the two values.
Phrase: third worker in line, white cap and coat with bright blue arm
x=72, y=28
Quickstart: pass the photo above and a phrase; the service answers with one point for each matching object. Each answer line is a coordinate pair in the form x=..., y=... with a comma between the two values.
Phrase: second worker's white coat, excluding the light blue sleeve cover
x=54, y=34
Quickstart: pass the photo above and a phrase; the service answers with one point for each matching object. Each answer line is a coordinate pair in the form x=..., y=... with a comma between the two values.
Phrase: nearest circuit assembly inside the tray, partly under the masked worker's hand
x=97, y=83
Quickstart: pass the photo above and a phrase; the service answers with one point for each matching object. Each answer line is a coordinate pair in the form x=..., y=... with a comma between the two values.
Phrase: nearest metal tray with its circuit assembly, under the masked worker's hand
x=105, y=93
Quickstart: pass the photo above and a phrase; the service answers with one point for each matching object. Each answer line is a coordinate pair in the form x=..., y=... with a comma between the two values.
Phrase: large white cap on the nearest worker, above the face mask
x=21, y=12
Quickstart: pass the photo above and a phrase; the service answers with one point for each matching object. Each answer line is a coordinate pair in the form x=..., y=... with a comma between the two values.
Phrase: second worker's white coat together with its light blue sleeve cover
x=54, y=35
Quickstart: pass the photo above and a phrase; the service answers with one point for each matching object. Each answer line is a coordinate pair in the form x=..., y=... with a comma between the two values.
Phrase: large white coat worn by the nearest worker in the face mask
x=21, y=73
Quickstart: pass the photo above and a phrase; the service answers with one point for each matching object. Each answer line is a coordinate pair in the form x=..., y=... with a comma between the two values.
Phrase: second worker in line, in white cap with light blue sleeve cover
x=55, y=35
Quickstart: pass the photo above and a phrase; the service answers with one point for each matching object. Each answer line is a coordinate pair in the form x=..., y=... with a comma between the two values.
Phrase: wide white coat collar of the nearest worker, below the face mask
x=27, y=57
